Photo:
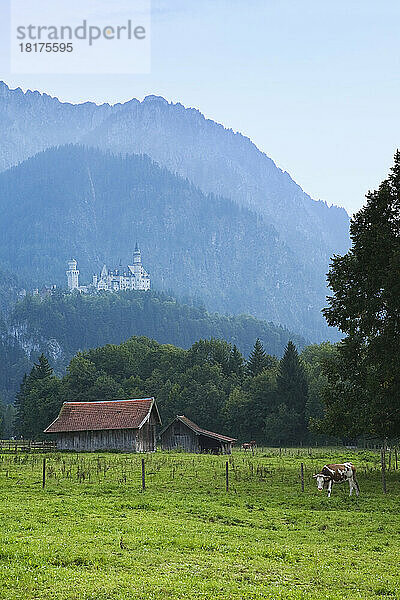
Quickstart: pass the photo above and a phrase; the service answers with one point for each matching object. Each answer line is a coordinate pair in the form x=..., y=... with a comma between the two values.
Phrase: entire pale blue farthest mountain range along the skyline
x=214, y=158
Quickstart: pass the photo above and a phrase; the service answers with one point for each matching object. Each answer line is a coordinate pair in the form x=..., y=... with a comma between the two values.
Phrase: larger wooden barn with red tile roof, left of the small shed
x=126, y=425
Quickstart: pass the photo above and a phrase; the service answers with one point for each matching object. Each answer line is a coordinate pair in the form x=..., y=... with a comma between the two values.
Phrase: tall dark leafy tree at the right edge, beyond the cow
x=365, y=305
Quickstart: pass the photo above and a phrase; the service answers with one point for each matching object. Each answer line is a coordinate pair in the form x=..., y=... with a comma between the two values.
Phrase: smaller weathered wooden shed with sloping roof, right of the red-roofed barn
x=183, y=434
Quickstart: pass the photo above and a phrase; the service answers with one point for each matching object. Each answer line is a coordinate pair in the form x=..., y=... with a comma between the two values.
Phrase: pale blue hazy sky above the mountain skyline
x=314, y=84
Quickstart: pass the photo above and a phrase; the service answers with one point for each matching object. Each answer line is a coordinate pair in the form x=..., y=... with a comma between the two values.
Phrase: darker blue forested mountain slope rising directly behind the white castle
x=93, y=206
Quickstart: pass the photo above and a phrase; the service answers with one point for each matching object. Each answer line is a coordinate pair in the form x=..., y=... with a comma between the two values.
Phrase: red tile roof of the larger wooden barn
x=108, y=414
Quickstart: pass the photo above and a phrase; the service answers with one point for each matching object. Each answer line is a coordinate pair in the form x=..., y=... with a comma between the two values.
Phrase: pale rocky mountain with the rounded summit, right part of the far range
x=226, y=163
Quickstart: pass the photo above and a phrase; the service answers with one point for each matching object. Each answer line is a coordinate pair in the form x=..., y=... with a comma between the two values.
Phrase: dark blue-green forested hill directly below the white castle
x=62, y=324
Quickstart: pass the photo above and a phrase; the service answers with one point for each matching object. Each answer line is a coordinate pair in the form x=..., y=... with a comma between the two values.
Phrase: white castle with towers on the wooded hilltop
x=132, y=277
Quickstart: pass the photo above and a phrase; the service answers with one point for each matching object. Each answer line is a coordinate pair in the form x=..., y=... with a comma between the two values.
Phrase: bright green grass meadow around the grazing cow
x=93, y=534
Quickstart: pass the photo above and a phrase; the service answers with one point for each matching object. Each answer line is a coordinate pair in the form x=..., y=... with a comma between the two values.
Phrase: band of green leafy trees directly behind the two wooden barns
x=209, y=383
